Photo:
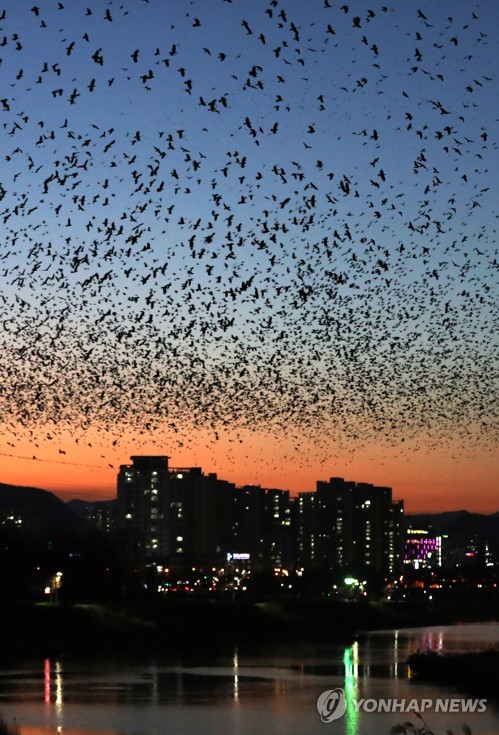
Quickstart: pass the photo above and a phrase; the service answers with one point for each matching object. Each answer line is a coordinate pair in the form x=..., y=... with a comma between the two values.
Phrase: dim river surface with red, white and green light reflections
x=272, y=689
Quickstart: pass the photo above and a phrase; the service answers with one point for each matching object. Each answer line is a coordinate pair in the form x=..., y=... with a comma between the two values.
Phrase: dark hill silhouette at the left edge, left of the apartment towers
x=41, y=511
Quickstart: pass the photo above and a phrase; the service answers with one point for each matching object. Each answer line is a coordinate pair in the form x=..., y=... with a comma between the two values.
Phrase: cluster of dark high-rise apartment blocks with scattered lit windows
x=181, y=517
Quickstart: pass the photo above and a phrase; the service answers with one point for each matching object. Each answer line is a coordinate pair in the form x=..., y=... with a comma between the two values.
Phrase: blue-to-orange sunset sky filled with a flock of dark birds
x=259, y=238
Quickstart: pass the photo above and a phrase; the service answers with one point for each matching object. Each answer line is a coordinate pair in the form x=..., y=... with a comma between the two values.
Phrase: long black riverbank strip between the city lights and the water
x=182, y=623
